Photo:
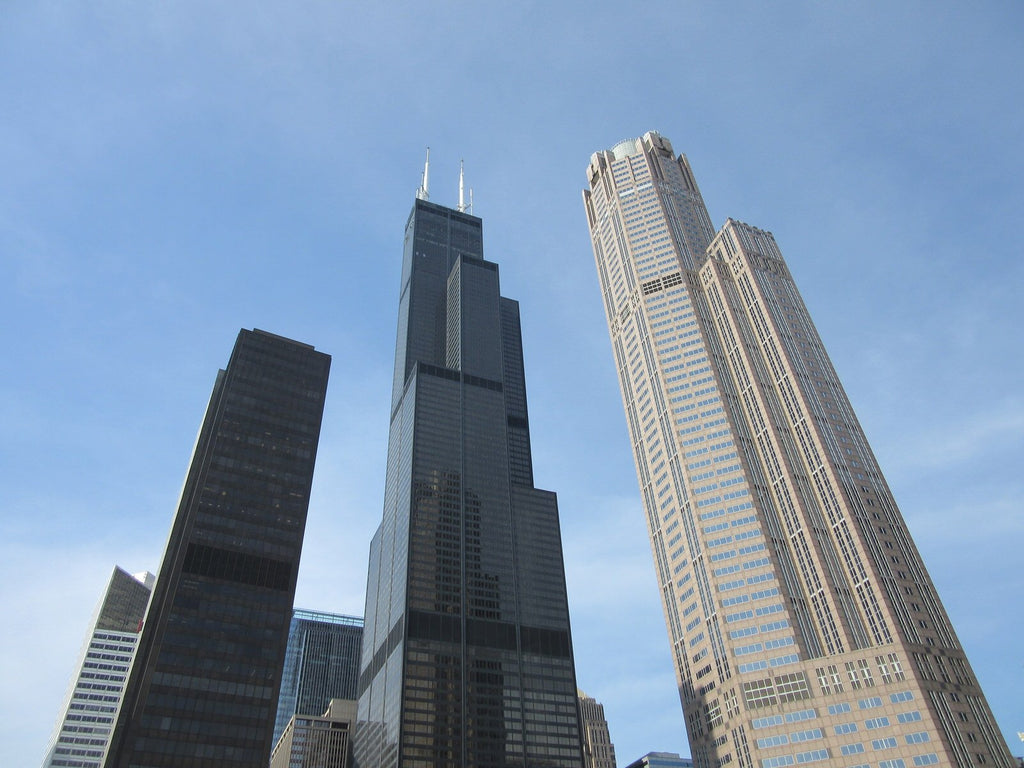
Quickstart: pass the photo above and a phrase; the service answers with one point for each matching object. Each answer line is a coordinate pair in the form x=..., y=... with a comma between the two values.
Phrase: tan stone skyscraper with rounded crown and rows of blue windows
x=804, y=627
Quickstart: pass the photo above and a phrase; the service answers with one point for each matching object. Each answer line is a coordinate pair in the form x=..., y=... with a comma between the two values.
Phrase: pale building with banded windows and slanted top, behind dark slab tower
x=88, y=717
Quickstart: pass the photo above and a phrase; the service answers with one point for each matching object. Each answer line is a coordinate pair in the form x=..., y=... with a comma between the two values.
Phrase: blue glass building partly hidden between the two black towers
x=322, y=662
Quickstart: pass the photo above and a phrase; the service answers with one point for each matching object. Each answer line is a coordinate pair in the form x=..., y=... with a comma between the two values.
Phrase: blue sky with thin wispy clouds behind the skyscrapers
x=173, y=173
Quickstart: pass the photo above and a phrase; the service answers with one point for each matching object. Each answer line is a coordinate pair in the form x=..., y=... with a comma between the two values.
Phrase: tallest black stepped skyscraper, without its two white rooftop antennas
x=467, y=659
